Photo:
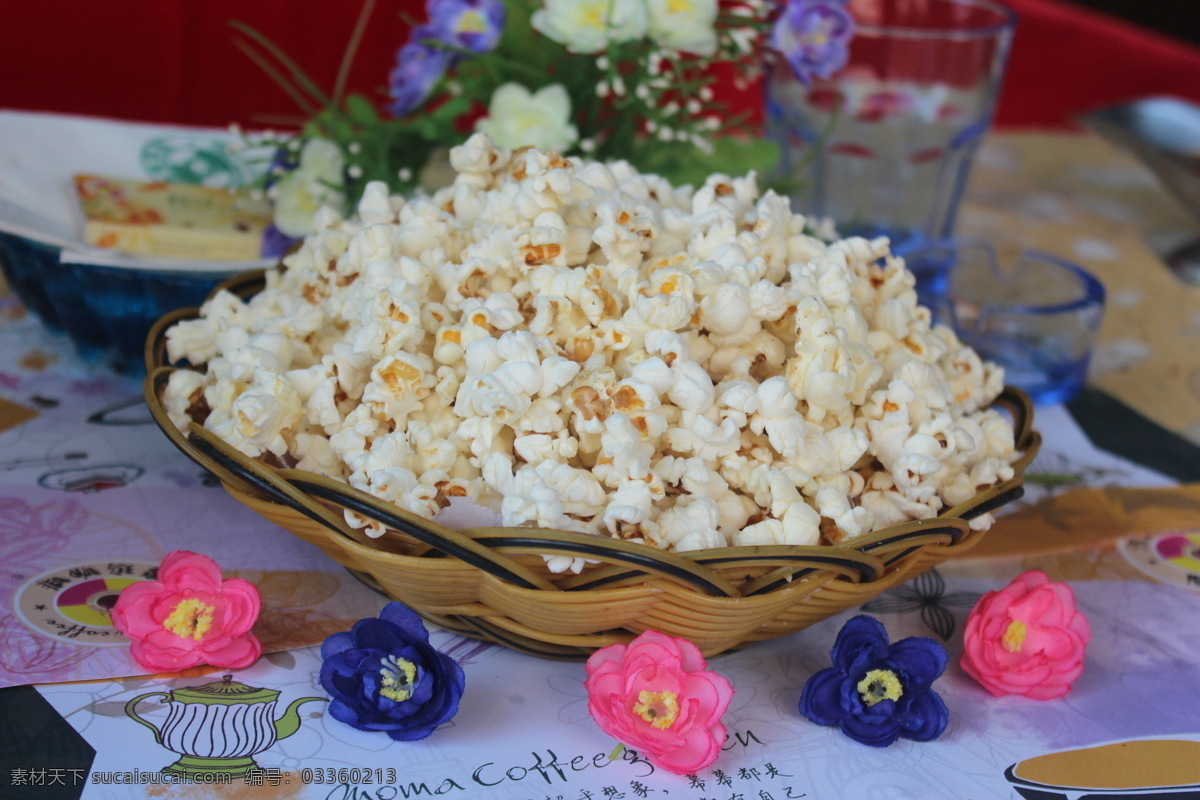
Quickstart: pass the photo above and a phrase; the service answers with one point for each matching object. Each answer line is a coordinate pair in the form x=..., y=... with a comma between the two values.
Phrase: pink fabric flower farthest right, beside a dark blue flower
x=1028, y=640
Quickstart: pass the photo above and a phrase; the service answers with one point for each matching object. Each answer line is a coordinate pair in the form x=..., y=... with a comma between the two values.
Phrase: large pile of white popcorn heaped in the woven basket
x=578, y=346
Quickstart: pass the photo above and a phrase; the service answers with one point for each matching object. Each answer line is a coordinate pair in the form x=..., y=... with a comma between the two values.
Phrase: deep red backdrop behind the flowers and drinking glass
x=176, y=61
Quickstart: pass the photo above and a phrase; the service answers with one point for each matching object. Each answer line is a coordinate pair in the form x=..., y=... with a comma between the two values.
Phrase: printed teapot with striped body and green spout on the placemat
x=219, y=727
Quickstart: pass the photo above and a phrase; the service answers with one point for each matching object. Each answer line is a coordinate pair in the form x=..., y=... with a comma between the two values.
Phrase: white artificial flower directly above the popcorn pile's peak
x=518, y=118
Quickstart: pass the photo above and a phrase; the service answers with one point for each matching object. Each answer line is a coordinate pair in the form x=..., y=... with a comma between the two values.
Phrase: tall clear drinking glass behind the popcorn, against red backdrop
x=884, y=146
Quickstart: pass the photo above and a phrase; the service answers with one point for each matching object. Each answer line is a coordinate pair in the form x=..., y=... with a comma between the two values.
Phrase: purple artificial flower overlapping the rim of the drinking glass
x=813, y=37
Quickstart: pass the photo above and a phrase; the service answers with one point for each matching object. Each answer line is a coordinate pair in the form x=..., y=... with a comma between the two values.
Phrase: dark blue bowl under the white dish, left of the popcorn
x=106, y=311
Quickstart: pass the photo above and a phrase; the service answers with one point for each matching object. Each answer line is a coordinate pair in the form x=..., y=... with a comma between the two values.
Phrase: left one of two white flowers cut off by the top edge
x=589, y=26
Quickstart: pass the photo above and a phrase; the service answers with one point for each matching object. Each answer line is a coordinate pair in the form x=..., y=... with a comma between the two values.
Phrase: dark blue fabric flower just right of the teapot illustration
x=385, y=676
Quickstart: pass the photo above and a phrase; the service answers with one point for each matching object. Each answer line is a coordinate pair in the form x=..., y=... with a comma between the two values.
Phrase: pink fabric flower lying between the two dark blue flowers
x=658, y=697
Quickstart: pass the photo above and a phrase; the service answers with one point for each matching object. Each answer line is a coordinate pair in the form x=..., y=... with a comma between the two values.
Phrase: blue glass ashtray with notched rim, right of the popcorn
x=1036, y=316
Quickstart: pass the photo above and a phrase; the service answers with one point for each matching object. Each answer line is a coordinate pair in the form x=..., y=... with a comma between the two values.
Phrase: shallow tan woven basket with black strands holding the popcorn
x=491, y=584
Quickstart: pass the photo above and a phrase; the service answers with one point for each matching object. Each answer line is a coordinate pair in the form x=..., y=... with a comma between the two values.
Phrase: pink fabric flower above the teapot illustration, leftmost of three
x=190, y=617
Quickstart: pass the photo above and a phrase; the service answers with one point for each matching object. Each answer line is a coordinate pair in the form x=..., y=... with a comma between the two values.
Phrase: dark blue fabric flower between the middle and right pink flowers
x=878, y=693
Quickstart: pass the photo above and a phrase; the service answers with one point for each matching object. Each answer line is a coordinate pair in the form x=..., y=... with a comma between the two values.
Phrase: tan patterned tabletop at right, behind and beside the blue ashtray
x=1081, y=199
